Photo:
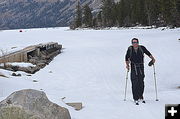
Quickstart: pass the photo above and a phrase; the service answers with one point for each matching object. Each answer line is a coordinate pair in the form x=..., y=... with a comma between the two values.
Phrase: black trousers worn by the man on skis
x=137, y=79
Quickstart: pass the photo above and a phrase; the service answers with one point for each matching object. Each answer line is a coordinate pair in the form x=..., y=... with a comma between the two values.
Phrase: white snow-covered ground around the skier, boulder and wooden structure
x=91, y=70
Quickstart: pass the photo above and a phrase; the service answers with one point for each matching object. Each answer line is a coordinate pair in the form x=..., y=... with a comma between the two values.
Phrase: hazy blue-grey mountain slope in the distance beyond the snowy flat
x=39, y=13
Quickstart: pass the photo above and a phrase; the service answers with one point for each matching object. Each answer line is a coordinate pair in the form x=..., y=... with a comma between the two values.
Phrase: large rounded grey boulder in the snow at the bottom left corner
x=31, y=104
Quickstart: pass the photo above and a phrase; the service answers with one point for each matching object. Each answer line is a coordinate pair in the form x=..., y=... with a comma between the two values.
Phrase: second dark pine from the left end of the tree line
x=87, y=16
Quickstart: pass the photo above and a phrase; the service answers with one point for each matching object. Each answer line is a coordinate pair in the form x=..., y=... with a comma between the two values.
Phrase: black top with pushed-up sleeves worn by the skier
x=136, y=57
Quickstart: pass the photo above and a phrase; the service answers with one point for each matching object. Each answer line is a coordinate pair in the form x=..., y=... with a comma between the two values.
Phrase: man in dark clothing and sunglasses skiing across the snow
x=134, y=59
